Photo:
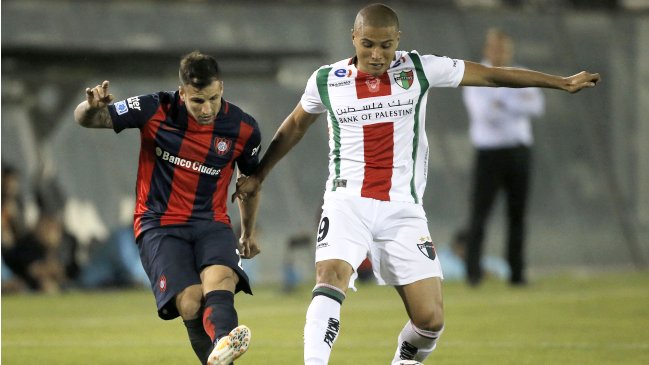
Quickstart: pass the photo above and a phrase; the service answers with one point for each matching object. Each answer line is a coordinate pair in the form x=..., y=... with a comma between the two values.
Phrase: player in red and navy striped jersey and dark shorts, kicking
x=191, y=140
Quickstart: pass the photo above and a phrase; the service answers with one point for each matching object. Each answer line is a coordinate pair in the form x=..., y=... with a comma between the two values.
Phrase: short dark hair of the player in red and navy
x=198, y=70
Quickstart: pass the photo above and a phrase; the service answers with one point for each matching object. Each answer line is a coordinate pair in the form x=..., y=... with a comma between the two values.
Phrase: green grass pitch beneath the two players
x=568, y=319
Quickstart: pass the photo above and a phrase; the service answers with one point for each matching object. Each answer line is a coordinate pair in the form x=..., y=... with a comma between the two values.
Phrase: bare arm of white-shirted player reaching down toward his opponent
x=287, y=136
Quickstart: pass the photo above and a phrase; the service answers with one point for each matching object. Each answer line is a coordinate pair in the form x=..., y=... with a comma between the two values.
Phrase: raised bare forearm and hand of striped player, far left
x=93, y=112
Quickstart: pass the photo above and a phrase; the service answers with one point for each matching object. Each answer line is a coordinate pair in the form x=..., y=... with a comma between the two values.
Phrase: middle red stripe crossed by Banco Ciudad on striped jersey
x=194, y=148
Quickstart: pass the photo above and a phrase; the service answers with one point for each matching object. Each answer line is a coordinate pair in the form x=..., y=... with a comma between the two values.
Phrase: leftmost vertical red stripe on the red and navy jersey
x=145, y=170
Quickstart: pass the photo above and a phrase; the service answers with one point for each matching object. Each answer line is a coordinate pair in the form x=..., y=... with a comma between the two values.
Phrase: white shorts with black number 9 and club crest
x=394, y=235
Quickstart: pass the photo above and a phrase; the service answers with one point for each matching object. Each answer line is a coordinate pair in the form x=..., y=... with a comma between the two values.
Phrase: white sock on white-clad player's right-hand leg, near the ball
x=415, y=343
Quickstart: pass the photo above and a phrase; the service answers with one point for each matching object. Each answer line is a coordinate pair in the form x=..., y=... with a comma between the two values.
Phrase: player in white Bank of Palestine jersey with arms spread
x=376, y=105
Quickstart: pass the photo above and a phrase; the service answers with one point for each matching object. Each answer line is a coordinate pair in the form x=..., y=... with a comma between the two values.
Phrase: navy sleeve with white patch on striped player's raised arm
x=133, y=112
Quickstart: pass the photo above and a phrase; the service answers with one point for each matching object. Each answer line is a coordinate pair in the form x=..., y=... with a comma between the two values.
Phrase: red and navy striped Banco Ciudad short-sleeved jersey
x=185, y=168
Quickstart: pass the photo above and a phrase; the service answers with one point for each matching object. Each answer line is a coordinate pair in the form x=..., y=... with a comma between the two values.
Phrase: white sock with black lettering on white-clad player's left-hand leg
x=322, y=324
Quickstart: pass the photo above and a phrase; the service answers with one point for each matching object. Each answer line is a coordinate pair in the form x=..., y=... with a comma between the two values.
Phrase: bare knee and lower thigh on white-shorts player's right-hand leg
x=424, y=303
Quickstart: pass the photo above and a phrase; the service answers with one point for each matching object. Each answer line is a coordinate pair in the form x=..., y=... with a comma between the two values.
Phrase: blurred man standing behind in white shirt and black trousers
x=501, y=134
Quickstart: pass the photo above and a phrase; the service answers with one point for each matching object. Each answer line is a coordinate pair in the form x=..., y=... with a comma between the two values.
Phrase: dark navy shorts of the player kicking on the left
x=174, y=256
